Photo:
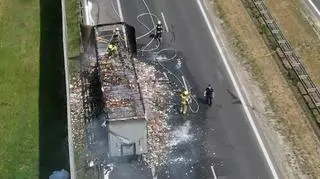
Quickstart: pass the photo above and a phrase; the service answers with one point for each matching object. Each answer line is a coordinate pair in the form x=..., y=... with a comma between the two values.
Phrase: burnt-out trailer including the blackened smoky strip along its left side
x=112, y=101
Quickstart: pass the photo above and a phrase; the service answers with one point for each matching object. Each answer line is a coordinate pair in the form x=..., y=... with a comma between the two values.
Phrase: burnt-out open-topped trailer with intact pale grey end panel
x=123, y=113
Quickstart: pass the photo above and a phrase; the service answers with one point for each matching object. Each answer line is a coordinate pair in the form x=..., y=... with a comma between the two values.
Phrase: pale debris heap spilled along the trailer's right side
x=157, y=98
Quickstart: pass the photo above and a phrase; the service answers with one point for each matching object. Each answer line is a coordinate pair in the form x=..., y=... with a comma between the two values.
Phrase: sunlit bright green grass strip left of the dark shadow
x=19, y=88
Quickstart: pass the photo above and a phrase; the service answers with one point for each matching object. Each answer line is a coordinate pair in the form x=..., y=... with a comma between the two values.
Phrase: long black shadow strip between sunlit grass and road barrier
x=52, y=102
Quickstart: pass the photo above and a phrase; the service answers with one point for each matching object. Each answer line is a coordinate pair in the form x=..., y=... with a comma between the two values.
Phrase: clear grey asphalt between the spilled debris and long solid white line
x=222, y=135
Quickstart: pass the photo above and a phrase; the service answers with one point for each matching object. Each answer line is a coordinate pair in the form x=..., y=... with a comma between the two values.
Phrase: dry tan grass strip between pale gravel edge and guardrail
x=290, y=121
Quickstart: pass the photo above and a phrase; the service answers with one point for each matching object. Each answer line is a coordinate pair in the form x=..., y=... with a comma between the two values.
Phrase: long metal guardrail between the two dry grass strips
x=291, y=61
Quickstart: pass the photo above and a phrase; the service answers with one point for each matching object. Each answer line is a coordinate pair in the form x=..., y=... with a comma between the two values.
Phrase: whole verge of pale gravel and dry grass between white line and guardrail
x=268, y=93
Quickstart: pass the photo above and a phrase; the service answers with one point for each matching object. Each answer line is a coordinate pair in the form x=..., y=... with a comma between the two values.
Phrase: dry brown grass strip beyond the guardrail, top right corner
x=296, y=28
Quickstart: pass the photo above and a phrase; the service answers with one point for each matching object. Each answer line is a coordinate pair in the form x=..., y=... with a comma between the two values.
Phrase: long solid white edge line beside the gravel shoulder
x=244, y=103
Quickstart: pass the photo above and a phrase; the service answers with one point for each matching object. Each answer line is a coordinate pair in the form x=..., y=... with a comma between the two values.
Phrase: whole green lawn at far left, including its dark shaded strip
x=33, y=124
